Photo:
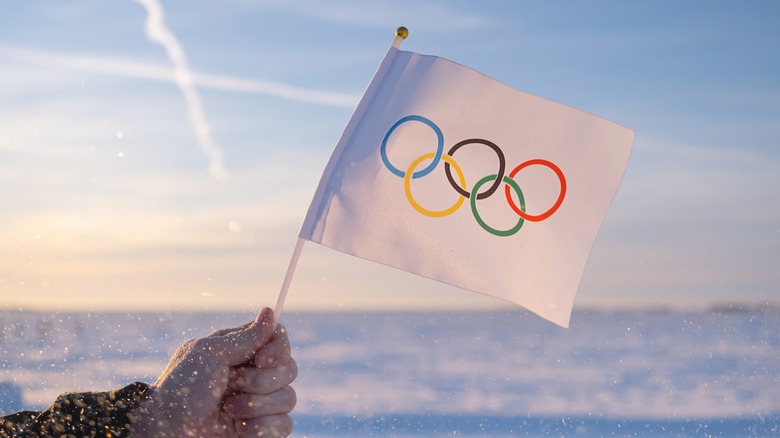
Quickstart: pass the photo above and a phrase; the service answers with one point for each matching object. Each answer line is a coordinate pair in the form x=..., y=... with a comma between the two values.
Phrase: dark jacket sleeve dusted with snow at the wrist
x=87, y=414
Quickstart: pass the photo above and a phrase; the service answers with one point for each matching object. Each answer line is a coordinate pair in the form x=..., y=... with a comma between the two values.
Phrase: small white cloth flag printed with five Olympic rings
x=446, y=173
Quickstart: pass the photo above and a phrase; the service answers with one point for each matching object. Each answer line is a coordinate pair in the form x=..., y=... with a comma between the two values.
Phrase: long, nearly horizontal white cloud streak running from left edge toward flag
x=113, y=66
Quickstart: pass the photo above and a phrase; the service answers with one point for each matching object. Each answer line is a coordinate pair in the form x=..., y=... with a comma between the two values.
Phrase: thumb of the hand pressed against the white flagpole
x=239, y=346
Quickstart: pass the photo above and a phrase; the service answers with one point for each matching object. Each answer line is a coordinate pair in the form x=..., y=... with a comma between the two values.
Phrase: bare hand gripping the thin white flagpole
x=233, y=383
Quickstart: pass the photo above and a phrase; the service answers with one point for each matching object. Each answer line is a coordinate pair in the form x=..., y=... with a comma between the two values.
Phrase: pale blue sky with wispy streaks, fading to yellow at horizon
x=172, y=168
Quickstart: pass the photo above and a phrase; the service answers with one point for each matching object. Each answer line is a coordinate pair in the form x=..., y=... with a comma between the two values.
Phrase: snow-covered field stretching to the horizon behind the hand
x=499, y=374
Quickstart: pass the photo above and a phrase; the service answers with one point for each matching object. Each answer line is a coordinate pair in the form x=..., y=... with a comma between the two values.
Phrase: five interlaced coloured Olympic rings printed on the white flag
x=460, y=186
